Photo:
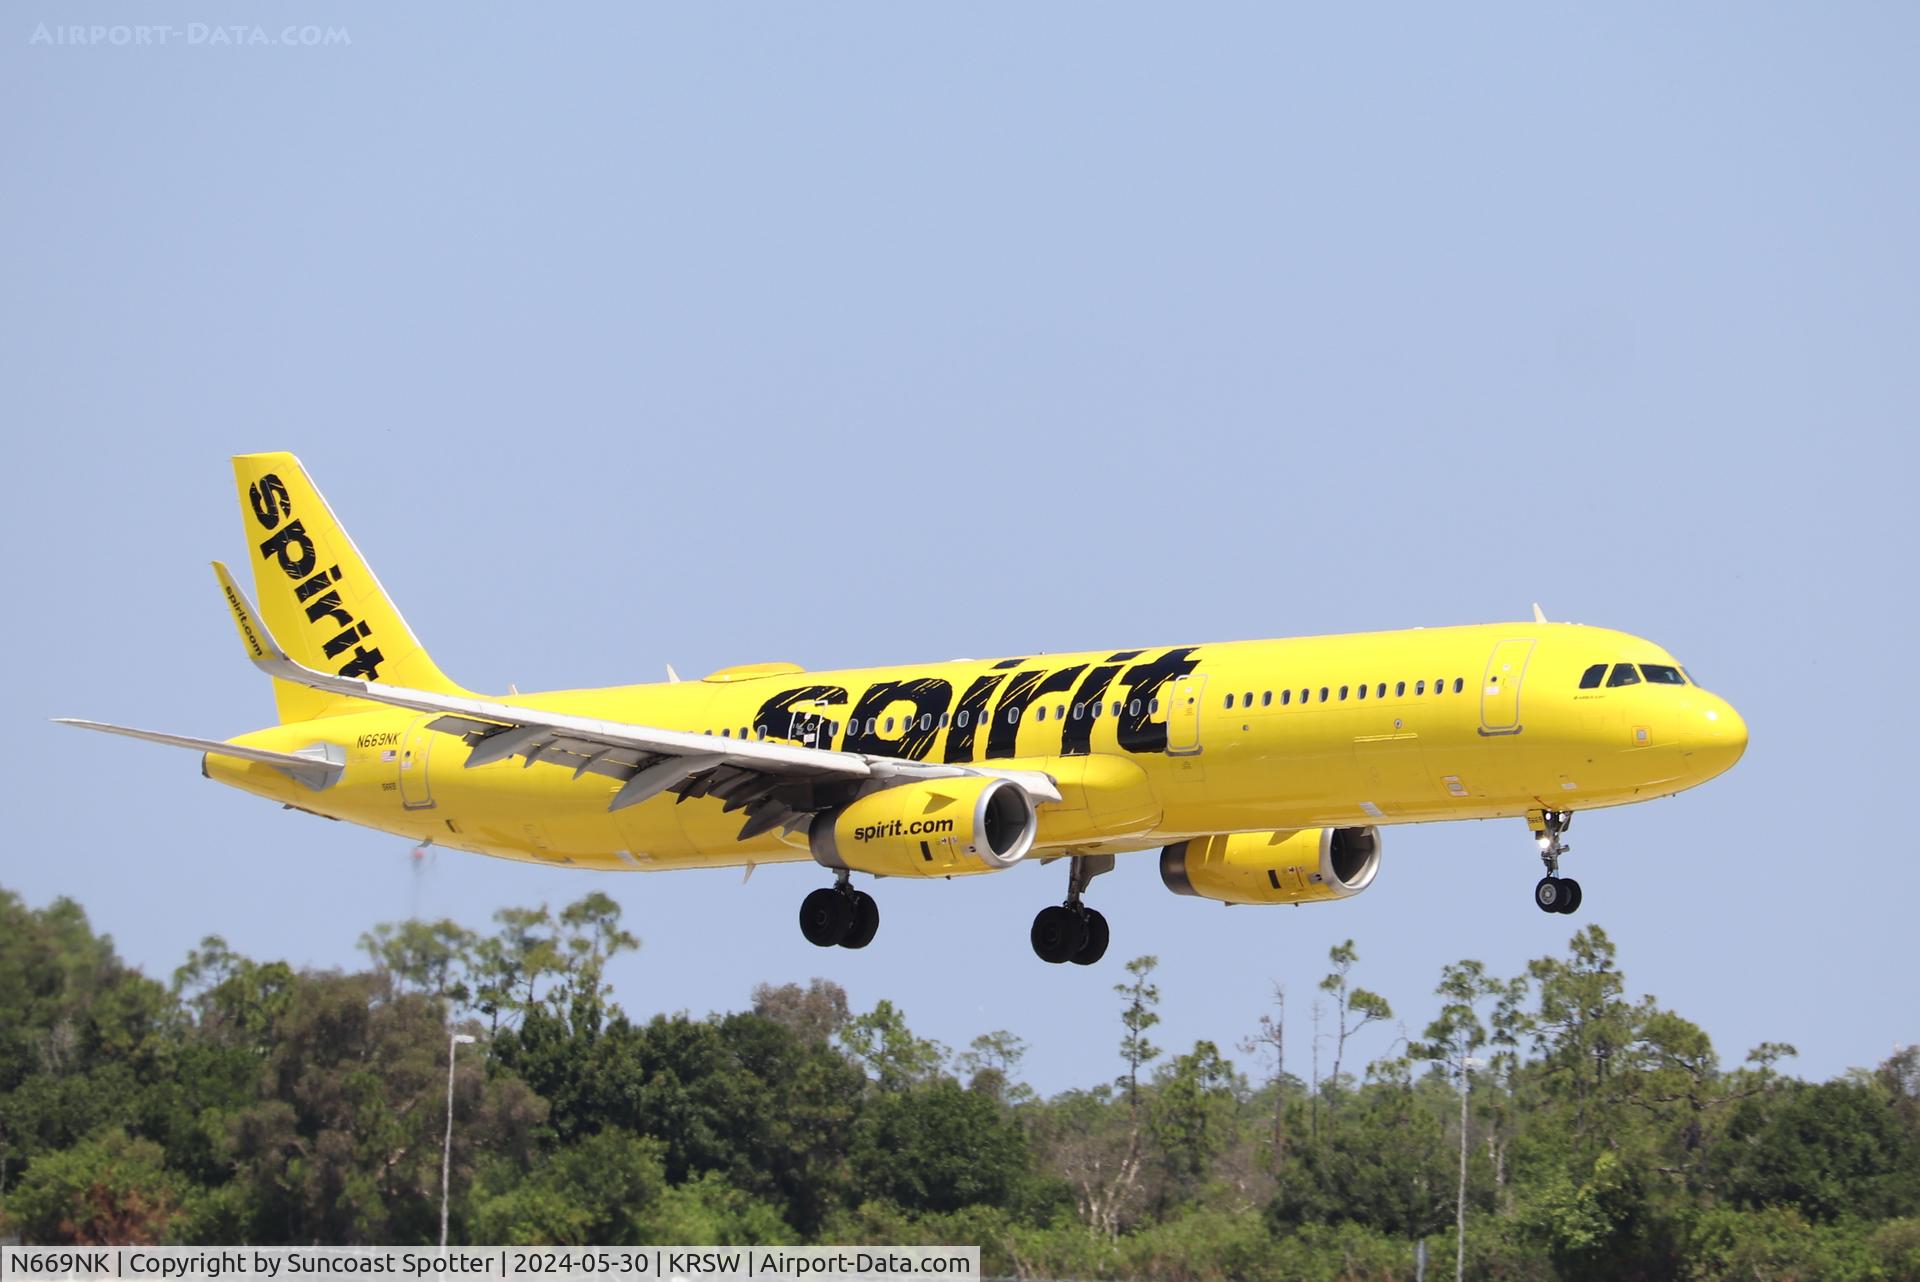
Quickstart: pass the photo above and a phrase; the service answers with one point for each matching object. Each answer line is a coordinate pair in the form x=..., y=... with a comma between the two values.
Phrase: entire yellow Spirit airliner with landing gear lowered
x=1260, y=771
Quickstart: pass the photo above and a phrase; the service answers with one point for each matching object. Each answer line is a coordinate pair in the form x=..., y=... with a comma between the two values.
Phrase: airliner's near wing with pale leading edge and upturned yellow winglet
x=775, y=784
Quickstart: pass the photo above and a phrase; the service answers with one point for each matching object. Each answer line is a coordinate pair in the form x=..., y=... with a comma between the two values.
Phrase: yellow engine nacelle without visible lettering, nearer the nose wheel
x=1276, y=868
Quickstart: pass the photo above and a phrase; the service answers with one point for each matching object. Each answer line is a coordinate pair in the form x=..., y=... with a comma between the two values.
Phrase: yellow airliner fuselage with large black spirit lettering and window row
x=1147, y=748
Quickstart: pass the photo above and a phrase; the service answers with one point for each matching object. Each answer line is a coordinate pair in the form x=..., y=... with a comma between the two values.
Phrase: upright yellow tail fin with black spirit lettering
x=318, y=596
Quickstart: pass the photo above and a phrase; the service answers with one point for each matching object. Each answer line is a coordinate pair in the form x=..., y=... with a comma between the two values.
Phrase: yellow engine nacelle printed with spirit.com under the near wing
x=940, y=828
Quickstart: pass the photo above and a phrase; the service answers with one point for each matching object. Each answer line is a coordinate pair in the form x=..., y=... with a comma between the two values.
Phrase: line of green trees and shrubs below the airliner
x=1545, y=1126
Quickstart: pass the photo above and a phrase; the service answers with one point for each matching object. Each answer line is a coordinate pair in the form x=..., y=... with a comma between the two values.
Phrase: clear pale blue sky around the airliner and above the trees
x=844, y=335
